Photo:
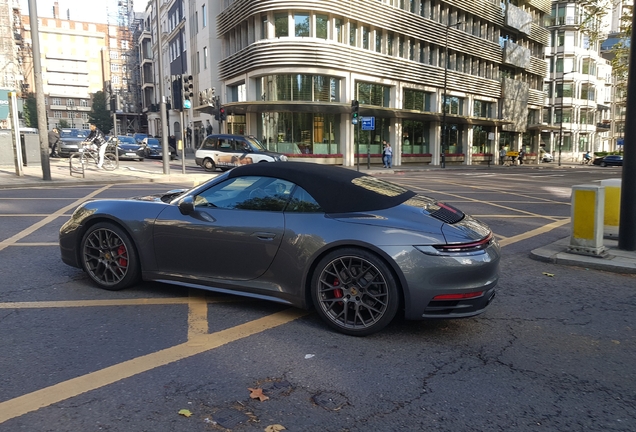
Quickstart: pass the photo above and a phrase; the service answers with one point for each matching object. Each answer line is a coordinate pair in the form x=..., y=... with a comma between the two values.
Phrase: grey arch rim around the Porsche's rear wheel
x=379, y=253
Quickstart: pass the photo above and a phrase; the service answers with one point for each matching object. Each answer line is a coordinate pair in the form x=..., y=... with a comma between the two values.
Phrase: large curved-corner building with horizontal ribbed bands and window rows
x=458, y=78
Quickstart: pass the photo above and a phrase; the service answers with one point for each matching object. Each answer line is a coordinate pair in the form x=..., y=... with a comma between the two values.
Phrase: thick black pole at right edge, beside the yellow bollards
x=627, y=228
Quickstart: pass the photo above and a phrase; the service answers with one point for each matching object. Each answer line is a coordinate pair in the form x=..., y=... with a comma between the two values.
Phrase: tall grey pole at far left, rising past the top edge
x=39, y=91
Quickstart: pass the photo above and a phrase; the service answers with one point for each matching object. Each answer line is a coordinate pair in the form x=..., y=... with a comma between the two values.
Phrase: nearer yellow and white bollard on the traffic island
x=588, y=202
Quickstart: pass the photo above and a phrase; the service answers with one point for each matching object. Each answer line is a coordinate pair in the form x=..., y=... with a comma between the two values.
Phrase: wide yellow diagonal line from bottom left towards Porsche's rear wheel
x=76, y=386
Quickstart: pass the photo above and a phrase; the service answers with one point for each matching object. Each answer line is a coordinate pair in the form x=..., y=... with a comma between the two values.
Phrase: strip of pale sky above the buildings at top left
x=80, y=10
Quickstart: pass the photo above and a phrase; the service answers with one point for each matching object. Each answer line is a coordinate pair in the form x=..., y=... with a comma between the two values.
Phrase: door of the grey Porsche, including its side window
x=233, y=234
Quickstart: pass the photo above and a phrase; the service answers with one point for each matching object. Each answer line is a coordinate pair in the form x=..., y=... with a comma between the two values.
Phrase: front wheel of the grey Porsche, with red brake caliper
x=109, y=257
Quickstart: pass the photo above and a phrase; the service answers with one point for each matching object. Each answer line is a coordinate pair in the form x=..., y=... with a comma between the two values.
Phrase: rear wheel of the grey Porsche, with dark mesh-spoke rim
x=354, y=292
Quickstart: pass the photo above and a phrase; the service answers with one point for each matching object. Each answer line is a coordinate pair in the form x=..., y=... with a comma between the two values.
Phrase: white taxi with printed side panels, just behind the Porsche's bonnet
x=228, y=151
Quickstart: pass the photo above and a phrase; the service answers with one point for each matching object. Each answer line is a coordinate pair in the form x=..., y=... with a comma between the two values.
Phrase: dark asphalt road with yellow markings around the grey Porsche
x=554, y=351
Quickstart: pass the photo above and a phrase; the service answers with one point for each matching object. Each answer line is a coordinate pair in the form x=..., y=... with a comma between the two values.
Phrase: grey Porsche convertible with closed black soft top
x=356, y=248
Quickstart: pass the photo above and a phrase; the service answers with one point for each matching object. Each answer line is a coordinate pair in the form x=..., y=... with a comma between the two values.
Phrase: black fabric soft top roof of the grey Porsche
x=336, y=189
